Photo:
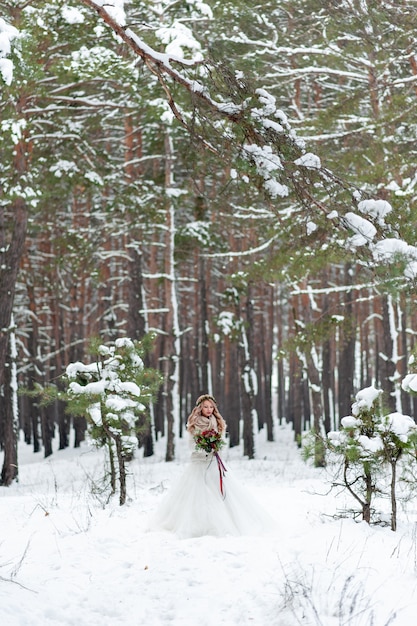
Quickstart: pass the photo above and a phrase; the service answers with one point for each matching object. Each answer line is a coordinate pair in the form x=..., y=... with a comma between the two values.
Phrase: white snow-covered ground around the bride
x=69, y=558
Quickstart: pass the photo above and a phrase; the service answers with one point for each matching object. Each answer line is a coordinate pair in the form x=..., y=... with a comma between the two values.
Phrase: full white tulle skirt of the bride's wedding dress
x=195, y=505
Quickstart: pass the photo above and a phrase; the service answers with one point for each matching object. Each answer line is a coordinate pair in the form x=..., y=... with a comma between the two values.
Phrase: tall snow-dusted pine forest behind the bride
x=129, y=206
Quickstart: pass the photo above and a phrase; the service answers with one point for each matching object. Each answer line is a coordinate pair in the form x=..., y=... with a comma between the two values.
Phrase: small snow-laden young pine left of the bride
x=113, y=393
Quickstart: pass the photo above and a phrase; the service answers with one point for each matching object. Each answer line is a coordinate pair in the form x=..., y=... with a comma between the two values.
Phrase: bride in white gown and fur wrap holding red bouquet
x=207, y=500
